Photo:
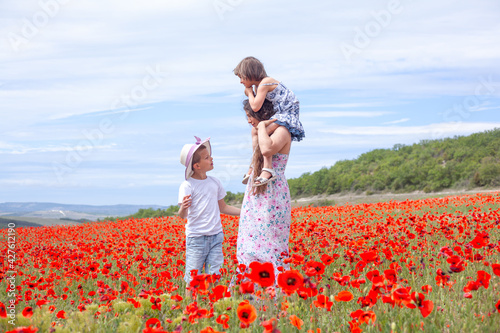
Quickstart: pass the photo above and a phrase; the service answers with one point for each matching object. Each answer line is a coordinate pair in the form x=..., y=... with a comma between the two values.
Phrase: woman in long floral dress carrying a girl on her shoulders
x=264, y=228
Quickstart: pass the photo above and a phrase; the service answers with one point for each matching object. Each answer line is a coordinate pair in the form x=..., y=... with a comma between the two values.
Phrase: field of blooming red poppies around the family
x=430, y=265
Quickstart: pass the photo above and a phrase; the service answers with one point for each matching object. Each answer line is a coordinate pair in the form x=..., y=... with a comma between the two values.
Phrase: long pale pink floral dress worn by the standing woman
x=264, y=228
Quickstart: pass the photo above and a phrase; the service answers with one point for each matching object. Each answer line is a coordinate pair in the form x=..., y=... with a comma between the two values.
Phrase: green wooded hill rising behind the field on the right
x=431, y=165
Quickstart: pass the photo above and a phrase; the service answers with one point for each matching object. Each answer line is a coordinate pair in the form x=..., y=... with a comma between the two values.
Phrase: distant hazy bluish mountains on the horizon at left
x=72, y=211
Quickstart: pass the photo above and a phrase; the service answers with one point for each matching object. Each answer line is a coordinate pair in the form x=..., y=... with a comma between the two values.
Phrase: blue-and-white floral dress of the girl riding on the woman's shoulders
x=287, y=109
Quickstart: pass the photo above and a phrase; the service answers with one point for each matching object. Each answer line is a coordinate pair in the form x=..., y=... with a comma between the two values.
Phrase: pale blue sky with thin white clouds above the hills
x=97, y=98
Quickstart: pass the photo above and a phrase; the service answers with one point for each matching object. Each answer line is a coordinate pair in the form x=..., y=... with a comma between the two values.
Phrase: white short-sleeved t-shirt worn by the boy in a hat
x=204, y=214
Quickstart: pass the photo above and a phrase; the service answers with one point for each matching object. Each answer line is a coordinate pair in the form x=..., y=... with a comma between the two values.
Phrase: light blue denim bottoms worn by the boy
x=204, y=250
